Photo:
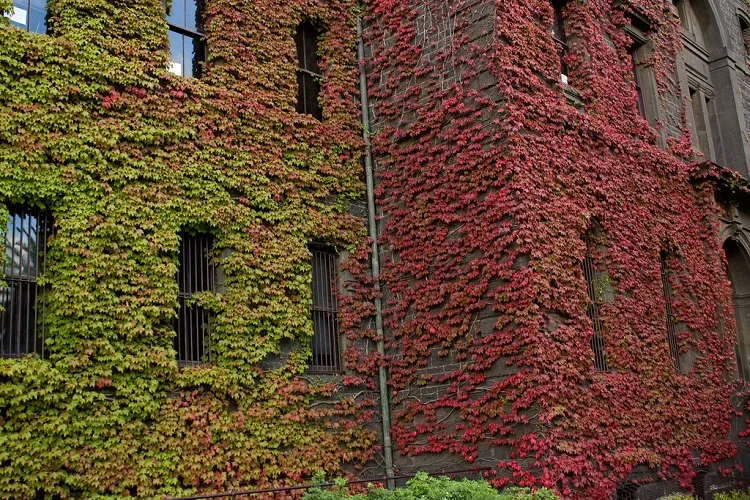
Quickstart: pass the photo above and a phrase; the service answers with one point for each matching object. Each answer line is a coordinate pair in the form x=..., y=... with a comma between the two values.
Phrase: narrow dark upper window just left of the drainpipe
x=308, y=74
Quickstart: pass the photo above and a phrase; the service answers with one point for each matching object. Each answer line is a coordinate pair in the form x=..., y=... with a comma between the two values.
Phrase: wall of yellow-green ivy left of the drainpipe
x=125, y=156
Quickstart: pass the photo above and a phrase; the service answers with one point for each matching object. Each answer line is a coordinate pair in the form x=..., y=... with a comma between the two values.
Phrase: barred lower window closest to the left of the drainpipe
x=325, y=310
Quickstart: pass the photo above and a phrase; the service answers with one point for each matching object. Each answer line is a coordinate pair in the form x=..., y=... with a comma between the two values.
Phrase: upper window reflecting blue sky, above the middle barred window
x=187, y=45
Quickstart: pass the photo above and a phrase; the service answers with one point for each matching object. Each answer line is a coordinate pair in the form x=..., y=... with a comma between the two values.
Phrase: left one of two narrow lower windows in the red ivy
x=597, y=287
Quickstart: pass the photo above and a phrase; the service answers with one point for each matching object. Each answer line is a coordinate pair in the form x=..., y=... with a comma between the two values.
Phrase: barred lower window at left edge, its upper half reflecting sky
x=22, y=318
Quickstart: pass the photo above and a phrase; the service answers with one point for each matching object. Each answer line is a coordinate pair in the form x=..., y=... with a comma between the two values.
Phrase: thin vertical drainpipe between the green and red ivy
x=385, y=409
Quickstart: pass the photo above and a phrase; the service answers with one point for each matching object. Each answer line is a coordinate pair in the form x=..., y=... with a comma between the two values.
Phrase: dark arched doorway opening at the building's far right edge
x=738, y=271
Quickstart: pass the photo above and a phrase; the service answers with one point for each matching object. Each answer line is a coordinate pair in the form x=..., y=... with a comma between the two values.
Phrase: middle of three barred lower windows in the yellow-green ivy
x=195, y=274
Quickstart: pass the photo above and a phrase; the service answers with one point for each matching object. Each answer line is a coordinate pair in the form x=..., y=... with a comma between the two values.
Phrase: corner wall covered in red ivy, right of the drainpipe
x=489, y=182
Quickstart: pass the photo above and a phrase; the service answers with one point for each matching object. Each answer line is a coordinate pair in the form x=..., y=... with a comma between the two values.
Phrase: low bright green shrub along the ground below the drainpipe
x=423, y=487
